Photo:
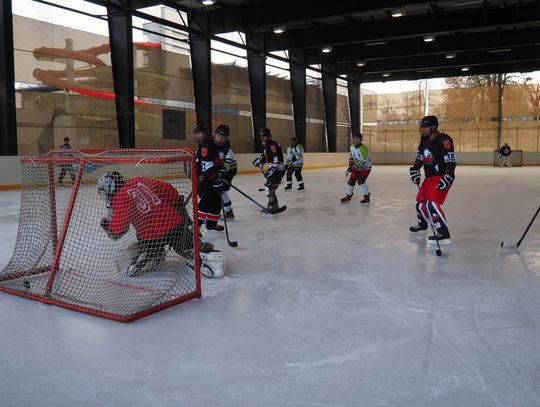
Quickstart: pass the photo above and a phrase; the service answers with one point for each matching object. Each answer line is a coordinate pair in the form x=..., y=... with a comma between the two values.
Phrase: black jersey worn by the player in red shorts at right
x=437, y=155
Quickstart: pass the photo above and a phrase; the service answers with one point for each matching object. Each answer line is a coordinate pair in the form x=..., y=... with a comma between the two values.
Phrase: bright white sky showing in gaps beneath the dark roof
x=54, y=15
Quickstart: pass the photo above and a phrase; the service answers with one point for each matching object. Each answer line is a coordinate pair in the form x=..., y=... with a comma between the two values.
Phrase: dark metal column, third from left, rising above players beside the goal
x=201, y=69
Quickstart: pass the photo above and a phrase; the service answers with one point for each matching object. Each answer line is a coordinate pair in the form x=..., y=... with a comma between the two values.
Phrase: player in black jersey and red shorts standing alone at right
x=436, y=154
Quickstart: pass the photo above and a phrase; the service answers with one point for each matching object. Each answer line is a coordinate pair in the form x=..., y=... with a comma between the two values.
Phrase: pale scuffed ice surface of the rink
x=322, y=305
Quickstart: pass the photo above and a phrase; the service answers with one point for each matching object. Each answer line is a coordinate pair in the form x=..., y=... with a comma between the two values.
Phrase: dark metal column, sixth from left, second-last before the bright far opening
x=330, y=105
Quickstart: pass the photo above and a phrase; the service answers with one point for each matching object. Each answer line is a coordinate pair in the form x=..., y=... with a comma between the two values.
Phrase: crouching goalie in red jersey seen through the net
x=156, y=211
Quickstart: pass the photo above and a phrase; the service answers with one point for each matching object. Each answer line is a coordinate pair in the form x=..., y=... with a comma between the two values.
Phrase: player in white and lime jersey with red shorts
x=359, y=170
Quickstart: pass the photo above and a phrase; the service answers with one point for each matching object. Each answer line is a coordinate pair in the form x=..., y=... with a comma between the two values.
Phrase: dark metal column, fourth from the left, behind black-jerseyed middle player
x=257, y=83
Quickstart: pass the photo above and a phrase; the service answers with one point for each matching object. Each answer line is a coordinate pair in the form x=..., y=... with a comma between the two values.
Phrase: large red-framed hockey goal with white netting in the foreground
x=65, y=256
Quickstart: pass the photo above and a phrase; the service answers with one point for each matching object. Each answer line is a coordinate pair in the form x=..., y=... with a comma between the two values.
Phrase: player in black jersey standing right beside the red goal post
x=210, y=161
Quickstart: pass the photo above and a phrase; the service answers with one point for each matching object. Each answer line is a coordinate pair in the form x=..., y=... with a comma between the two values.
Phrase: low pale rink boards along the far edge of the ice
x=10, y=169
